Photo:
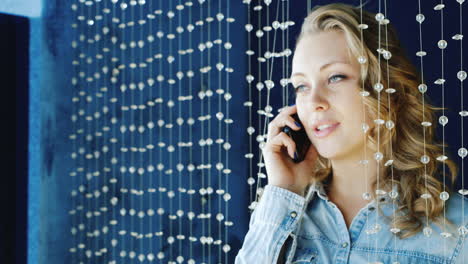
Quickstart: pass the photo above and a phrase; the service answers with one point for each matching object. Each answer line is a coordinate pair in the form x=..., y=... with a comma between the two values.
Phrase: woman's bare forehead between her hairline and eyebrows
x=317, y=49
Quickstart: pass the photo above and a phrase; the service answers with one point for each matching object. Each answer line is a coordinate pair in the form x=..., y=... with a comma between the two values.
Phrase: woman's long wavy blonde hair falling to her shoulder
x=407, y=136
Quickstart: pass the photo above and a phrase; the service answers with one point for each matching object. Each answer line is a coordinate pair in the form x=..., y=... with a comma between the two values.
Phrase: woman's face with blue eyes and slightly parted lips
x=326, y=80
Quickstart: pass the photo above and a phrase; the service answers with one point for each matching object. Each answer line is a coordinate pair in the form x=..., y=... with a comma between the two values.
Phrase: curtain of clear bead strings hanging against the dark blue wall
x=166, y=109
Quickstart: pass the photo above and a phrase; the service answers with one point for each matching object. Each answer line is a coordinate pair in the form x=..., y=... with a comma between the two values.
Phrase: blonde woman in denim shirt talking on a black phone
x=333, y=207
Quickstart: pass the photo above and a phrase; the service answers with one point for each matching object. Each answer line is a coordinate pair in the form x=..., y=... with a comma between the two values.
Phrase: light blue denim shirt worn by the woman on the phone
x=318, y=232
